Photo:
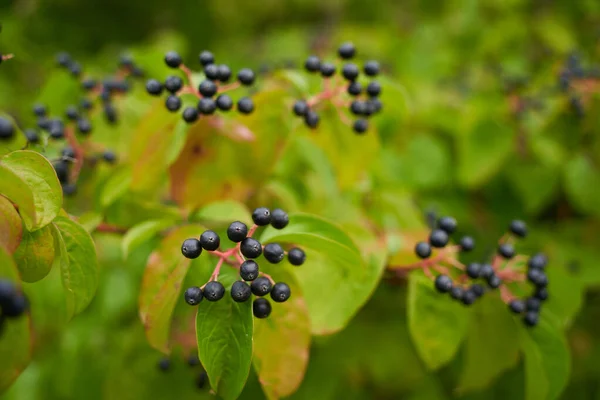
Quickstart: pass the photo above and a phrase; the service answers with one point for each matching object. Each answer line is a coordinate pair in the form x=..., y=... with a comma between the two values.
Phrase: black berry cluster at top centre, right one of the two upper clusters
x=361, y=107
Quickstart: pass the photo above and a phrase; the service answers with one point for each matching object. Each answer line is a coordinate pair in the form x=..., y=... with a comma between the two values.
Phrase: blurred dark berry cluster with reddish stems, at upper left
x=106, y=88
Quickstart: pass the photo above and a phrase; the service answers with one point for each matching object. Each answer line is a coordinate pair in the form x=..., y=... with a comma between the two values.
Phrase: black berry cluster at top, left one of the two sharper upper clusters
x=209, y=88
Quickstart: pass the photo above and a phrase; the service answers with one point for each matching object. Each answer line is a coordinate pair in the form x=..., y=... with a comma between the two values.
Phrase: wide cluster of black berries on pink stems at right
x=468, y=294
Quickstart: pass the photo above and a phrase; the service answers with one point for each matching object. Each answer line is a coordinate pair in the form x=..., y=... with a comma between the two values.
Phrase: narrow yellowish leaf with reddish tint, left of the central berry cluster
x=161, y=285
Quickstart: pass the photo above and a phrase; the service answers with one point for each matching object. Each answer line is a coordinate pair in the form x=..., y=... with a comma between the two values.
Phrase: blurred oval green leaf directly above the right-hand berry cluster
x=482, y=151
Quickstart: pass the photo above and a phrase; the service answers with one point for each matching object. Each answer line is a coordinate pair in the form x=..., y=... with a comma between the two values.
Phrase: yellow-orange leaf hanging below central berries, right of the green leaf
x=282, y=342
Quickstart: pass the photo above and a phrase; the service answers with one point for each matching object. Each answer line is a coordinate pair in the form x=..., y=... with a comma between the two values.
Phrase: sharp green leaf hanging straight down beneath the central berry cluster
x=224, y=332
